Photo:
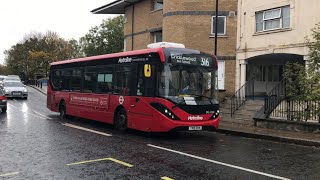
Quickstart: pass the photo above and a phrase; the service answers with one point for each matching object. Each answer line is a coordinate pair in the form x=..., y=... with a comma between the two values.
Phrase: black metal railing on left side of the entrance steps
x=241, y=95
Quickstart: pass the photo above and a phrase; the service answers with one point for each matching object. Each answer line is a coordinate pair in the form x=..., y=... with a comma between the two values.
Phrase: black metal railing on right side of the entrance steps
x=274, y=97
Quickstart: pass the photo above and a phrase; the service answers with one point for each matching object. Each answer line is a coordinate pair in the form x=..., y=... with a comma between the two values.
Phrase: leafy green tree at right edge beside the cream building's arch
x=303, y=82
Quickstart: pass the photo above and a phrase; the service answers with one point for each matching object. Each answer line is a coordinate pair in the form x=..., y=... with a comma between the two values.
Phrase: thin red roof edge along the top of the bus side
x=120, y=54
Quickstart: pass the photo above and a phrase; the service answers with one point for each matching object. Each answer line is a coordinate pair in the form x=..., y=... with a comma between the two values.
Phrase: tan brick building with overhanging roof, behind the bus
x=190, y=22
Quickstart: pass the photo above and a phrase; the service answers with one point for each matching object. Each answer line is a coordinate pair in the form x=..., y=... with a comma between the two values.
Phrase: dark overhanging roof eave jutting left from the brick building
x=116, y=7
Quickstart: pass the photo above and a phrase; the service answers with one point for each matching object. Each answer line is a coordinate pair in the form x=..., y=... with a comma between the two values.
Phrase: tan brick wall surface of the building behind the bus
x=191, y=27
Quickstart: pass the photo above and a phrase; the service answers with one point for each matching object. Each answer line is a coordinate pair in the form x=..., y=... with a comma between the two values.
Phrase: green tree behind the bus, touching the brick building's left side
x=106, y=38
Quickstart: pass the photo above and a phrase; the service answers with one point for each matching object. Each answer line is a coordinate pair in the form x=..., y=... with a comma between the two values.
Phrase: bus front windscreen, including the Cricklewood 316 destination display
x=189, y=76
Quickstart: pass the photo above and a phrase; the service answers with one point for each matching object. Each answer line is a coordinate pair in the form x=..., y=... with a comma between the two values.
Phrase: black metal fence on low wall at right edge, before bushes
x=297, y=110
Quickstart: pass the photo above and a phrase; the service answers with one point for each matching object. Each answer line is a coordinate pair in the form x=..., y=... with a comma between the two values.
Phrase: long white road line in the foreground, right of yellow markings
x=220, y=163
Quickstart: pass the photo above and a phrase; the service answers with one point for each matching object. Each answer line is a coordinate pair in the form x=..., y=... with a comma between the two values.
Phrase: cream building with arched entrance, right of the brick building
x=270, y=34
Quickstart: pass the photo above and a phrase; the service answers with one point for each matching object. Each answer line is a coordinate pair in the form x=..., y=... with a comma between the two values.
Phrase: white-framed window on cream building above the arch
x=272, y=19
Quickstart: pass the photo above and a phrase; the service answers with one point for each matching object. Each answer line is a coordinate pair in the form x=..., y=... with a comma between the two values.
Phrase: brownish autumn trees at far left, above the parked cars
x=31, y=57
